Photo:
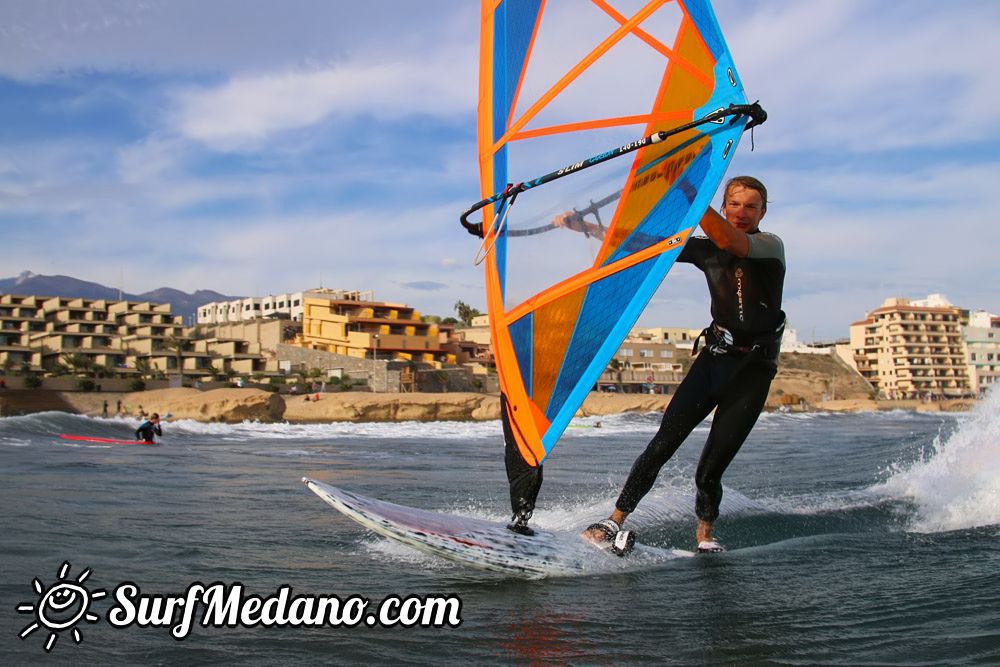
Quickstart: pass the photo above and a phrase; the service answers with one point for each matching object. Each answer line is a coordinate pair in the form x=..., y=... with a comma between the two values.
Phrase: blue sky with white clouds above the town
x=254, y=147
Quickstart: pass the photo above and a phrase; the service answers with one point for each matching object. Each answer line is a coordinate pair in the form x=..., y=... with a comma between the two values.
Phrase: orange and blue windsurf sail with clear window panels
x=648, y=90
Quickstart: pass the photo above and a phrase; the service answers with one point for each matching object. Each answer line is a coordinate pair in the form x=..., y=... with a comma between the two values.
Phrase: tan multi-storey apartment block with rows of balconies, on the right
x=913, y=349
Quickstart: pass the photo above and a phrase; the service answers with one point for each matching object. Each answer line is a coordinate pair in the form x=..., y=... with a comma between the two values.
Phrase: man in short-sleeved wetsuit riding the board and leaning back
x=745, y=270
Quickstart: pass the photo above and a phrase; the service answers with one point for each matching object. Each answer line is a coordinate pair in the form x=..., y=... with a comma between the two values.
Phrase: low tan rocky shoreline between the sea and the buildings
x=238, y=405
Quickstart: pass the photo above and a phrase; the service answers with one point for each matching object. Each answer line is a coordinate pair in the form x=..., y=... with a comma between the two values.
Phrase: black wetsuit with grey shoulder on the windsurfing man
x=732, y=374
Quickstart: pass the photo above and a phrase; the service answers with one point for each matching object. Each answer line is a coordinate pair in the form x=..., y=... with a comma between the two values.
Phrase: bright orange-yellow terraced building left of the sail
x=344, y=323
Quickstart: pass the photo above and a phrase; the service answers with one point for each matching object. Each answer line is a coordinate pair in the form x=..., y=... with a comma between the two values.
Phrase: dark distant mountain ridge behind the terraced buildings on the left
x=181, y=303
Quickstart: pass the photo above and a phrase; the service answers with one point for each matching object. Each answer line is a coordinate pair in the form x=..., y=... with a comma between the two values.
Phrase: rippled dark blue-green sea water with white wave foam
x=853, y=539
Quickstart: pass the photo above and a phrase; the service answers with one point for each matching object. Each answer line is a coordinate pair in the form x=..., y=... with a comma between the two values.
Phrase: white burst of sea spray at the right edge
x=956, y=485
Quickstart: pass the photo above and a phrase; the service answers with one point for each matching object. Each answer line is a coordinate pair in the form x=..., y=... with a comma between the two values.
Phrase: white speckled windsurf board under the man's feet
x=484, y=544
